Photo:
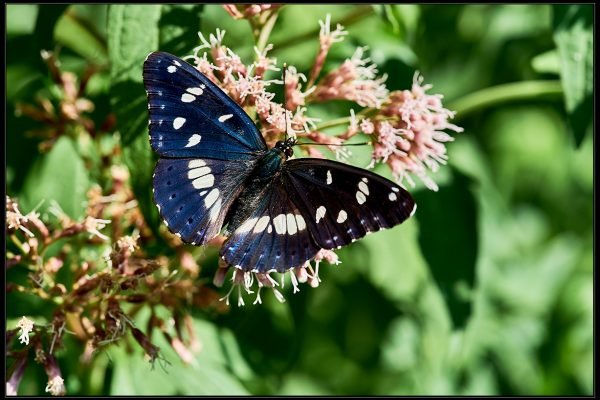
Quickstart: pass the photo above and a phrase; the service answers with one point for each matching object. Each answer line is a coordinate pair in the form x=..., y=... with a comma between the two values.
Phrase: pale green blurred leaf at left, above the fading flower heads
x=59, y=175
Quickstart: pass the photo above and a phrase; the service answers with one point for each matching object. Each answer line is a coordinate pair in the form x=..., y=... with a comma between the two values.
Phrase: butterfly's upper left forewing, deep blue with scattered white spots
x=191, y=117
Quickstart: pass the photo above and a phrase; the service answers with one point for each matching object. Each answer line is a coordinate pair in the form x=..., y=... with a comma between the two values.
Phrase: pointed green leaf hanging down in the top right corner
x=573, y=34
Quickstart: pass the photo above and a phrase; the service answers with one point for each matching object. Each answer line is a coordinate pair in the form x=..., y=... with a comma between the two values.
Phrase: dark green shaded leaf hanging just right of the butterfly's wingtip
x=449, y=241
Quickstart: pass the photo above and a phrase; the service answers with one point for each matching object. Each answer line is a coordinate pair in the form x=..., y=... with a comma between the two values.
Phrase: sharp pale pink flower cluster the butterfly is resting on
x=407, y=126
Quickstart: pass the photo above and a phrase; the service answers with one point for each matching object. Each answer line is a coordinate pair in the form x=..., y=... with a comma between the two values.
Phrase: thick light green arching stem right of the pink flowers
x=494, y=95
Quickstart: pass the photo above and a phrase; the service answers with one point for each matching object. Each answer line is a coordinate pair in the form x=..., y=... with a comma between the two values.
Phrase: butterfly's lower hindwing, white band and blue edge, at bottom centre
x=274, y=237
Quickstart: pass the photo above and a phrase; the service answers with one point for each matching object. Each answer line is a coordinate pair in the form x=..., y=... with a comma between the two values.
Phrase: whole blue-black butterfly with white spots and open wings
x=216, y=174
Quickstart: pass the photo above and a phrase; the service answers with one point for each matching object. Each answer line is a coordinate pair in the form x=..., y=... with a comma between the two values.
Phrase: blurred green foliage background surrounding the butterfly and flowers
x=488, y=290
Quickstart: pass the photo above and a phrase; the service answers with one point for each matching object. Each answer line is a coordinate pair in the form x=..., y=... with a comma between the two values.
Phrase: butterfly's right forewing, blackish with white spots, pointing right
x=342, y=203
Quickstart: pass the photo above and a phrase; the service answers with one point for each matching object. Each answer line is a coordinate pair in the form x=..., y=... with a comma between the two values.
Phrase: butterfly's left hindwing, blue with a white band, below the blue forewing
x=194, y=195
